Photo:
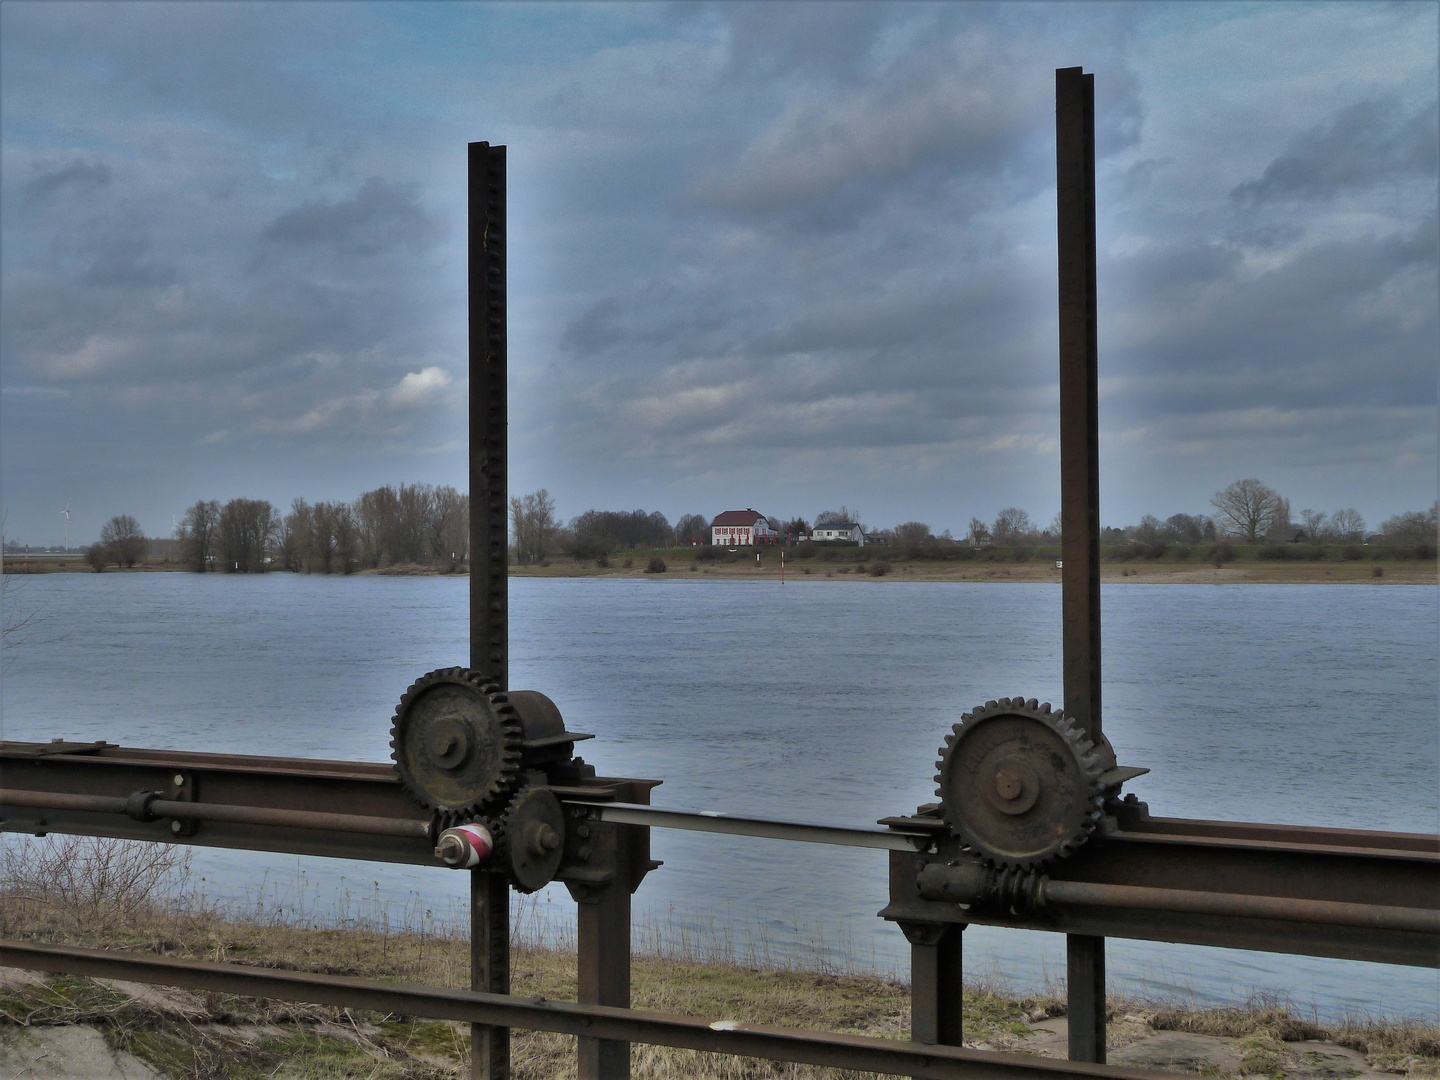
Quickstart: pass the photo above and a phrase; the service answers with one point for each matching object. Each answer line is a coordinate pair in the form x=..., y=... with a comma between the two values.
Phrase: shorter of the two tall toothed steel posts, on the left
x=489, y=555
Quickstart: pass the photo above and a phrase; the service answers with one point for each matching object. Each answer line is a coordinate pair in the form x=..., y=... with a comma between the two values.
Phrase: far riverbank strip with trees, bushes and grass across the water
x=423, y=529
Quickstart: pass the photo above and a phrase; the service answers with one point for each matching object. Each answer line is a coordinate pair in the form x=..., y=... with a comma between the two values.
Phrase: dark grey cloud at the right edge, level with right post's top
x=1364, y=145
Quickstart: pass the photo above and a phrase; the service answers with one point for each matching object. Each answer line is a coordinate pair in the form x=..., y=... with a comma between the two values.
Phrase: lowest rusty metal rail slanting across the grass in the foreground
x=865, y=1053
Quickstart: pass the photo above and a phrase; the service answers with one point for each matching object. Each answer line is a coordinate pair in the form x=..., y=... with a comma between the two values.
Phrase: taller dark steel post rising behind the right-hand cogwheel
x=1081, y=487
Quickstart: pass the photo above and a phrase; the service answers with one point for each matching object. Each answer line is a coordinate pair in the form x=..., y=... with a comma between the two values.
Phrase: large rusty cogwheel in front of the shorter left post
x=456, y=742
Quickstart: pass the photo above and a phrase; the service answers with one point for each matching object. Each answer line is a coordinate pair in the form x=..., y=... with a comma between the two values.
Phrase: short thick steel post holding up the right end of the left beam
x=604, y=967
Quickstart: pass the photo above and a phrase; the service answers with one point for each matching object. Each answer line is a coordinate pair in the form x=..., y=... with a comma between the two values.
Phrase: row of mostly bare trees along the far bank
x=430, y=526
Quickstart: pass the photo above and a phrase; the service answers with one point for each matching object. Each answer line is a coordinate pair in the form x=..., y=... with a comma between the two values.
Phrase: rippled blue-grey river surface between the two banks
x=814, y=701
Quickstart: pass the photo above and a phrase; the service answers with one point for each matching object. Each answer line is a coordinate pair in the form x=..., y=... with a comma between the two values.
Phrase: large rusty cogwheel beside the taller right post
x=1020, y=784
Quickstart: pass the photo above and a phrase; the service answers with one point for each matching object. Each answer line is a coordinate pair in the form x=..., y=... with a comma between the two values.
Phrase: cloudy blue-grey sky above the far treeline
x=784, y=257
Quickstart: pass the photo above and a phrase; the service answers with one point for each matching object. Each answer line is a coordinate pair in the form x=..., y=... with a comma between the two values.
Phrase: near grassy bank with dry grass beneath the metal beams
x=188, y=1035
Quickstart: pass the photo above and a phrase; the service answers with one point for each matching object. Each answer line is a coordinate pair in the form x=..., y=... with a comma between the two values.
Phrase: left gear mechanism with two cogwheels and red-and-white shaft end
x=483, y=764
